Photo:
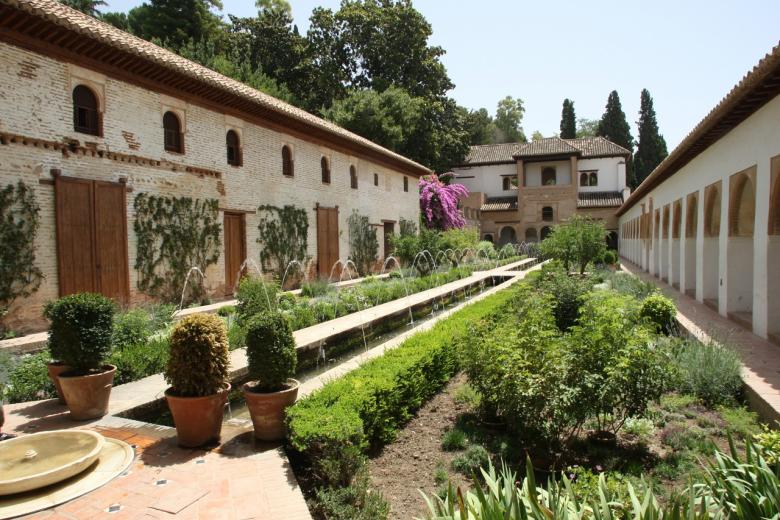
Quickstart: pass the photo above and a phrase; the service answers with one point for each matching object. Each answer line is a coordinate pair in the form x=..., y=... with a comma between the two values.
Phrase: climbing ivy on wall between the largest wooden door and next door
x=175, y=234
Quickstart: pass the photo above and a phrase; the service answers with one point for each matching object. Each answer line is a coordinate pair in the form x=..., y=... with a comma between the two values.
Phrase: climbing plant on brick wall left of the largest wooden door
x=19, y=275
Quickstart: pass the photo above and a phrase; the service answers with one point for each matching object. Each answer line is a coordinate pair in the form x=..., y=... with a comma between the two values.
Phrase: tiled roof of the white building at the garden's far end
x=583, y=147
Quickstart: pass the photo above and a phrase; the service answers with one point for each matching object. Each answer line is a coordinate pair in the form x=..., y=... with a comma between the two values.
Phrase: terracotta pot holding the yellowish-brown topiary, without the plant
x=198, y=420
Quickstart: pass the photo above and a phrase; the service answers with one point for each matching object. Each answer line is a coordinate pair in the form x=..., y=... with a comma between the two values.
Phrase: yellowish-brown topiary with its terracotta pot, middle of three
x=197, y=371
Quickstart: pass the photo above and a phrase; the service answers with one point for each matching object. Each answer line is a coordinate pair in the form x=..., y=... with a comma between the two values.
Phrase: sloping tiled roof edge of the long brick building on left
x=93, y=29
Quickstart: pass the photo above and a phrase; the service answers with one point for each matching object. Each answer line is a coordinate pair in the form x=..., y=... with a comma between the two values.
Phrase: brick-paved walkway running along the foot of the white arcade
x=761, y=359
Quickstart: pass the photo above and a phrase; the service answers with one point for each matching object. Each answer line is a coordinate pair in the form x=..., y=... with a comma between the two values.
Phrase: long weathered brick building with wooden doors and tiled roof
x=91, y=117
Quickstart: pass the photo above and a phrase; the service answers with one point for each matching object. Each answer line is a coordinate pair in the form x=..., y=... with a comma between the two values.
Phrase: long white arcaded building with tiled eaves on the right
x=707, y=219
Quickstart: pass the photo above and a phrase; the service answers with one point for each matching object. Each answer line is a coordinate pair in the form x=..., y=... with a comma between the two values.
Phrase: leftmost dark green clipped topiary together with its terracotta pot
x=80, y=336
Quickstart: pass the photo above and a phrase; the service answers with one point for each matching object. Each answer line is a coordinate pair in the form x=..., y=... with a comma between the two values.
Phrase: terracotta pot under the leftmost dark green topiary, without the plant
x=87, y=395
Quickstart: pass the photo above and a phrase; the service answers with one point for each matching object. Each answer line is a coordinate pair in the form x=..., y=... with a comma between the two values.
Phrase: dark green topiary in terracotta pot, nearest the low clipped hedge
x=271, y=357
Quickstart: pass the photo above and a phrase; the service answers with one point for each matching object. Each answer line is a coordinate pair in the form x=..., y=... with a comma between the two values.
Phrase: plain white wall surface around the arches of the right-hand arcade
x=753, y=143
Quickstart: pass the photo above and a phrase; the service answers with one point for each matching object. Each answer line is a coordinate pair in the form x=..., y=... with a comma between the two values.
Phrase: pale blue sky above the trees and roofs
x=689, y=54
